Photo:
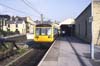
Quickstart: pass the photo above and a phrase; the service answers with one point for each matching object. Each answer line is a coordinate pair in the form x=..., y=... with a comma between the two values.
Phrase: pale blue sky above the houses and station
x=51, y=9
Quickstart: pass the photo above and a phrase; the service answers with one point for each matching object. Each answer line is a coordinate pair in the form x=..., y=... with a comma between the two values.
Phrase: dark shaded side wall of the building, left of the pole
x=83, y=26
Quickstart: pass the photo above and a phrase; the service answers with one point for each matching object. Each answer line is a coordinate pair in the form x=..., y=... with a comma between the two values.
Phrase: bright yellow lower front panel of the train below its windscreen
x=43, y=38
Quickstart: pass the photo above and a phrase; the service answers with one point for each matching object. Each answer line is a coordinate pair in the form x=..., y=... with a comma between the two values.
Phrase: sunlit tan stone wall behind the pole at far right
x=96, y=22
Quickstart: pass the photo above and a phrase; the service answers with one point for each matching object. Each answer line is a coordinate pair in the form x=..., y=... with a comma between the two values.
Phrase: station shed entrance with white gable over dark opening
x=67, y=27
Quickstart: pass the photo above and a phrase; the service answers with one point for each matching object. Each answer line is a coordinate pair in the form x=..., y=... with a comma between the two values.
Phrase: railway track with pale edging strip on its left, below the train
x=31, y=57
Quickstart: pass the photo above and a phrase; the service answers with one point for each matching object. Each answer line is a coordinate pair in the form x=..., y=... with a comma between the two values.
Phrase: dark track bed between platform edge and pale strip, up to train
x=37, y=54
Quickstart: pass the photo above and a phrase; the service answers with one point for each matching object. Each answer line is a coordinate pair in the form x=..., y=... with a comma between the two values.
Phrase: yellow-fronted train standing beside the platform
x=45, y=33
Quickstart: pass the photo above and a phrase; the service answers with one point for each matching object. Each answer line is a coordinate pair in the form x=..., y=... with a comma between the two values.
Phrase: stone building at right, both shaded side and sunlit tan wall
x=83, y=24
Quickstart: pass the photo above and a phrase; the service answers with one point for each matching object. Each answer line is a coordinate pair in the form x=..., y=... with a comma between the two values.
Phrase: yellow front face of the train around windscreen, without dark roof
x=43, y=37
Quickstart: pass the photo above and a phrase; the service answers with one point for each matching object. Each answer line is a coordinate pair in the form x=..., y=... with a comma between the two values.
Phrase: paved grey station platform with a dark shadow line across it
x=68, y=52
